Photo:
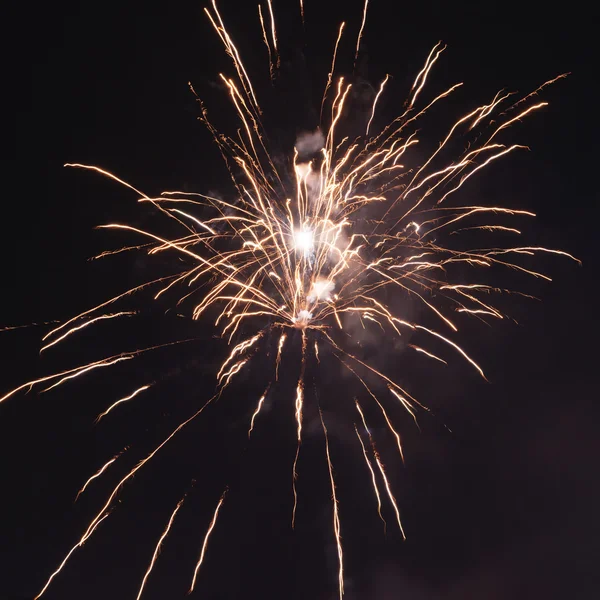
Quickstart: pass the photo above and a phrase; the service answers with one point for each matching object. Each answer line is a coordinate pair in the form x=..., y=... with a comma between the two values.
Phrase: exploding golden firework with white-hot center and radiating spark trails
x=304, y=250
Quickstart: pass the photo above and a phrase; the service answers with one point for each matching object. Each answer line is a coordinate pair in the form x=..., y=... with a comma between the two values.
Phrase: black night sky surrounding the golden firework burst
x=504, y=507
